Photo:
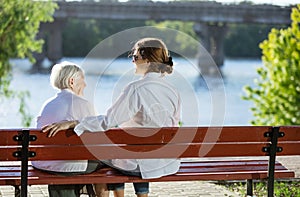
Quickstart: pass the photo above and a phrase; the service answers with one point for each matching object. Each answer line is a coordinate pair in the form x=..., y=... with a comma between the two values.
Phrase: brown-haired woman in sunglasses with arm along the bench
x=148, y=102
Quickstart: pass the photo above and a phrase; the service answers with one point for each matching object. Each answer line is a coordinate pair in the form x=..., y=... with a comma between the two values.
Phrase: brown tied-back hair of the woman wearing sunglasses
x=156, y=52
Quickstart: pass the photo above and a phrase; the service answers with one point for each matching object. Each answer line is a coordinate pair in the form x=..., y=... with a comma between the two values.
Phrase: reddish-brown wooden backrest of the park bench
x=151, y=143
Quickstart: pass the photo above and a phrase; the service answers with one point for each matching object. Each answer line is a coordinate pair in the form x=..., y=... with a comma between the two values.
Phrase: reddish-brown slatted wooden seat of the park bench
x=189, y=170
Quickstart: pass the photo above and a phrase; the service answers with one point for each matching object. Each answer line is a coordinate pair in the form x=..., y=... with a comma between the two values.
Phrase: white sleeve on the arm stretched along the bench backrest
x=125, y=107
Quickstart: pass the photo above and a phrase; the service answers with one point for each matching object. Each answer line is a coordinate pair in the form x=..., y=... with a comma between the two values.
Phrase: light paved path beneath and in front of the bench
x=167, y=189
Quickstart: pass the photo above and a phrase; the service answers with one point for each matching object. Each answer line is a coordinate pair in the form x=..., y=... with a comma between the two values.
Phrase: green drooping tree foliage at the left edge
x=19, y=24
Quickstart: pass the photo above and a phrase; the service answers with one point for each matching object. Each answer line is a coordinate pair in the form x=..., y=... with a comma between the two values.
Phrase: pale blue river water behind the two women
x=205, y=101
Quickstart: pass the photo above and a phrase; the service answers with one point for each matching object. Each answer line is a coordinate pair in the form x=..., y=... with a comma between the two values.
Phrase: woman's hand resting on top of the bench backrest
x=54, y=128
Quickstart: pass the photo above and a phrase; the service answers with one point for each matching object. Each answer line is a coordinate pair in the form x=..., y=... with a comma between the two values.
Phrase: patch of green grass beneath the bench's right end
x=281, y=188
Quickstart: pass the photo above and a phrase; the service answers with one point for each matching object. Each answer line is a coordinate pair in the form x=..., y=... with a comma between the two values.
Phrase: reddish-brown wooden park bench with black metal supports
x=184, y=142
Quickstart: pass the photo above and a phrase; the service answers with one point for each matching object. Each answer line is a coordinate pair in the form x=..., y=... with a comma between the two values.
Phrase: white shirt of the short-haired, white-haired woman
x=64, y=106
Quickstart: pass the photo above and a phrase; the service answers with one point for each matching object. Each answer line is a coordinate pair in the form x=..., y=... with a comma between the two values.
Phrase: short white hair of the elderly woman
x=62, y=73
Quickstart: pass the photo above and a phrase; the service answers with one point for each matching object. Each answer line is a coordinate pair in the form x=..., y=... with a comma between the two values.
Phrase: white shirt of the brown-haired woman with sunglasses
x=148, y=102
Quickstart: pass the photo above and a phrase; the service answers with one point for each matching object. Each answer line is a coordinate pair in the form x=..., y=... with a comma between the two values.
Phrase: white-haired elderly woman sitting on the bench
x=67, y=105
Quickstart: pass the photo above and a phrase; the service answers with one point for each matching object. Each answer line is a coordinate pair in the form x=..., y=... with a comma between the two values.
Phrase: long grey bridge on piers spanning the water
x=210, y=18
